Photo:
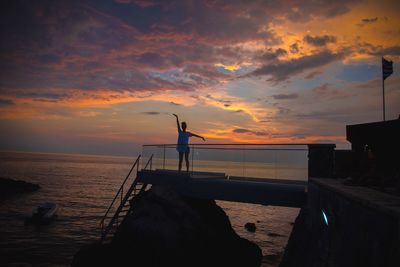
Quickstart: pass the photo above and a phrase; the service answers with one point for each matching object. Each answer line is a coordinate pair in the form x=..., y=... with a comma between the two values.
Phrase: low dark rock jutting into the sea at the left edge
x=9, y=187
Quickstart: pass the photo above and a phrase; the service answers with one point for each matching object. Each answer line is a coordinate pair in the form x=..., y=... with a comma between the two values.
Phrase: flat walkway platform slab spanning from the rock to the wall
x=217, y=186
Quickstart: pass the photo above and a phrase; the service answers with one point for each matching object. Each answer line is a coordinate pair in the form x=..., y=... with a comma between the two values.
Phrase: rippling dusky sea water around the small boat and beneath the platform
x=83, y=186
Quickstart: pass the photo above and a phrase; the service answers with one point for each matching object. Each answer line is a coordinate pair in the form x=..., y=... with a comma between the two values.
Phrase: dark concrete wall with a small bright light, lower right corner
x=363, y=228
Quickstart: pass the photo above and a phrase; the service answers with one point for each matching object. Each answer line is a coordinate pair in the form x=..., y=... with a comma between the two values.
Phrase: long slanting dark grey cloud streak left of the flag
x=283, y=70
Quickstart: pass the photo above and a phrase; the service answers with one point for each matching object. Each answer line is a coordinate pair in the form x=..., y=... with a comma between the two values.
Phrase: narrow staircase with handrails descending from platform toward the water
x=110, y=223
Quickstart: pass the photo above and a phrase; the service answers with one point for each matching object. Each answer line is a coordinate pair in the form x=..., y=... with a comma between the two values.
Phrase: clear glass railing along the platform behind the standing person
x=279, y=161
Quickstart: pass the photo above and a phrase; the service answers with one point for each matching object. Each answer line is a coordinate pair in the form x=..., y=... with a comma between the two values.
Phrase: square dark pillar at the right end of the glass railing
x=321, y=160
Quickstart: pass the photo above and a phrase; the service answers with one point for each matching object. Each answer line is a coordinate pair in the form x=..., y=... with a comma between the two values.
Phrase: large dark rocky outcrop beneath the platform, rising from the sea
x=167, y=229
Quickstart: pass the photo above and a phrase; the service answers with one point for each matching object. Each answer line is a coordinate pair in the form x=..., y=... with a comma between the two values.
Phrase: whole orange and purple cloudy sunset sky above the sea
x=103, y=77
